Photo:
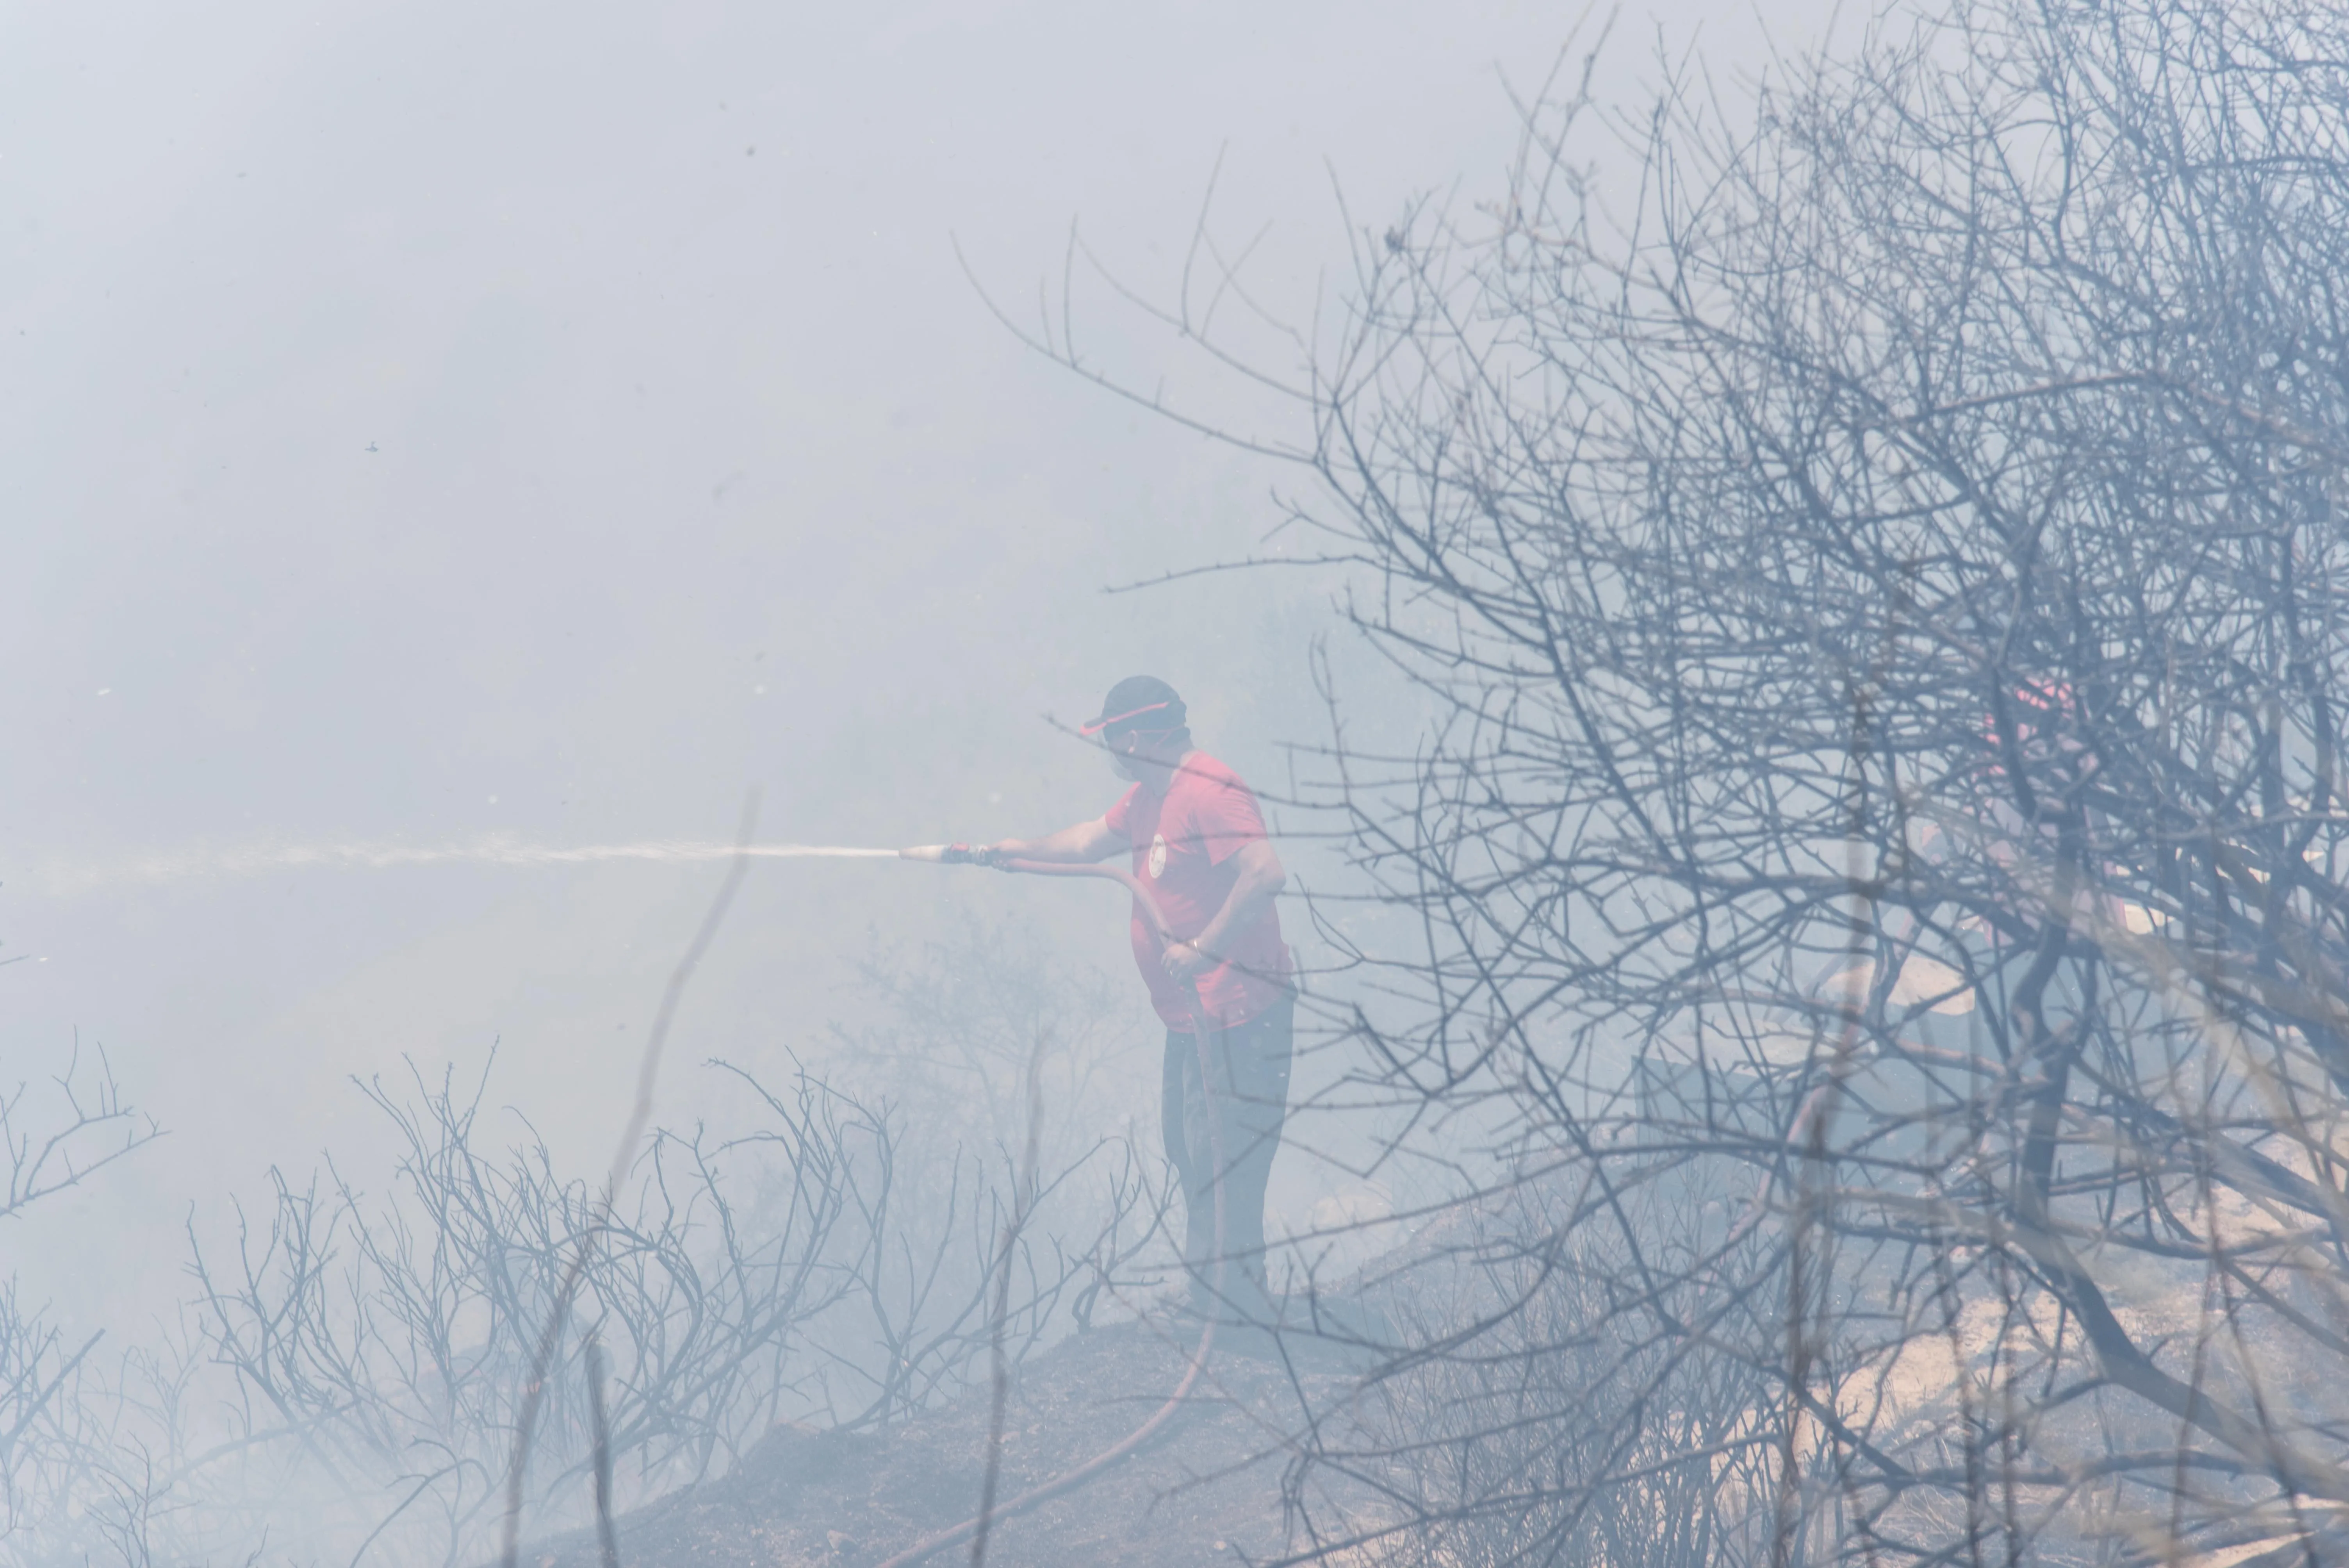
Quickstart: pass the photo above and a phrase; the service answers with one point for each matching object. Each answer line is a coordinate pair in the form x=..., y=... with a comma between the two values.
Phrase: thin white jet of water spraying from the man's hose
x=490, y=851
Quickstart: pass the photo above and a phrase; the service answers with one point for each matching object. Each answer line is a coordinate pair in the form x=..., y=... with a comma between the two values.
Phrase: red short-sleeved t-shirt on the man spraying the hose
x=1183, y=853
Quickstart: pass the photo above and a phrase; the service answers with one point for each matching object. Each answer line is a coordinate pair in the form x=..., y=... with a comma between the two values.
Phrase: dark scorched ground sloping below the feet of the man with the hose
x=1204, y=1492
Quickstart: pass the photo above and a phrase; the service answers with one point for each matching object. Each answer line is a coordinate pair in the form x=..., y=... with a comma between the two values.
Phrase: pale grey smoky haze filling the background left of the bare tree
x=426, y=421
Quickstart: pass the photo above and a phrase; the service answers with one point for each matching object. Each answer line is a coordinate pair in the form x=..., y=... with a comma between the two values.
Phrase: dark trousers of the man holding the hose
x=1239, y=1114
